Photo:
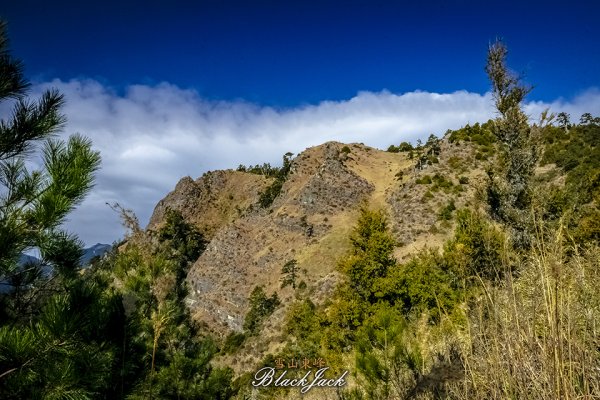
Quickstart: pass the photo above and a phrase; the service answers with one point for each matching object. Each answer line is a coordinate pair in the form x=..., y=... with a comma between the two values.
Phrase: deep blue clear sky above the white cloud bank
x=287, y=53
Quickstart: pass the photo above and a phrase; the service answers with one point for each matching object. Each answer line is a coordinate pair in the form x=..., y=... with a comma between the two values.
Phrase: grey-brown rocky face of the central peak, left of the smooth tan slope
x=251, y=250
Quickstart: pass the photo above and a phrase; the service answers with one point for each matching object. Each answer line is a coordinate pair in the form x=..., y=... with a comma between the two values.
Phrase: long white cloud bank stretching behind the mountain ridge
x=151, y=136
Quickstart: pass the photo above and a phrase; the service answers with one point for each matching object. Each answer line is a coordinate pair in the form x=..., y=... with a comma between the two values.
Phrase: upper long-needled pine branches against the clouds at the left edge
x=33, y=204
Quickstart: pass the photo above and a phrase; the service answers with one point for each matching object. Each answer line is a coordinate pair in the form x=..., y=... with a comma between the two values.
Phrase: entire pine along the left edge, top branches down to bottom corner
x=56, y=333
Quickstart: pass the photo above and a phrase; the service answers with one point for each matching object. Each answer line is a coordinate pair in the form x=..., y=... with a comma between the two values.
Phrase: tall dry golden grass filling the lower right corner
x=538, y=335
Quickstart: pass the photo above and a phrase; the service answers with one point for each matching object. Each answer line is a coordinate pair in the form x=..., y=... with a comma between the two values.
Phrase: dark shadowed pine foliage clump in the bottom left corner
x=72, y=347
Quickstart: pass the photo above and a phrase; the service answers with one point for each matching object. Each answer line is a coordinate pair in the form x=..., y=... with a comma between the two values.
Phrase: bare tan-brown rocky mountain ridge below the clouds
x=310, y=221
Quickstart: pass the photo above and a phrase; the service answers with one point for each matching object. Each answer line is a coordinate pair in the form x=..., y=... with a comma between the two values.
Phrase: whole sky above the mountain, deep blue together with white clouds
x=166, y=89
